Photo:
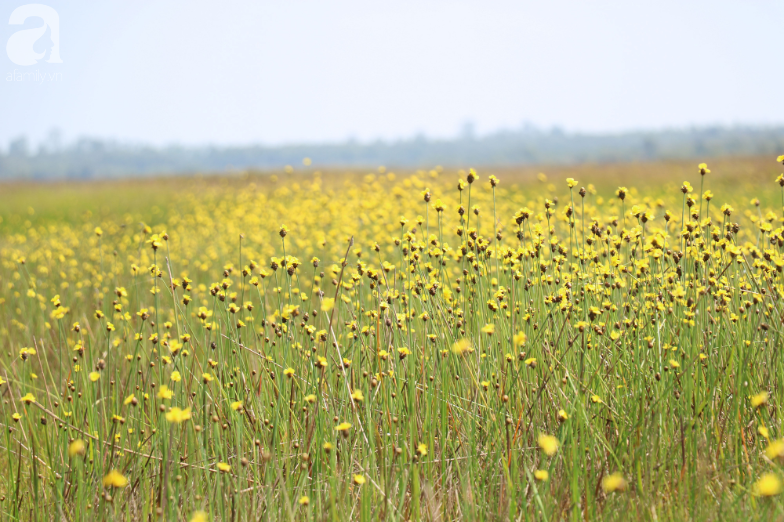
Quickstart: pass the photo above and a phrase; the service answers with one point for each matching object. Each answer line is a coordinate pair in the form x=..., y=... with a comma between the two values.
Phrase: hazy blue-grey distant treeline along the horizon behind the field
x=90, y=158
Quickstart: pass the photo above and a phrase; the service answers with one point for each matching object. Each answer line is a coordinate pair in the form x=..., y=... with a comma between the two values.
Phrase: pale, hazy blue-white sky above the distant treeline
x=242, y=72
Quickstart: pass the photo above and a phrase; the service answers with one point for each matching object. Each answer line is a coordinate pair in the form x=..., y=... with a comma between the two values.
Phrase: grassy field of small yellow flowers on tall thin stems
x=431, y=345
